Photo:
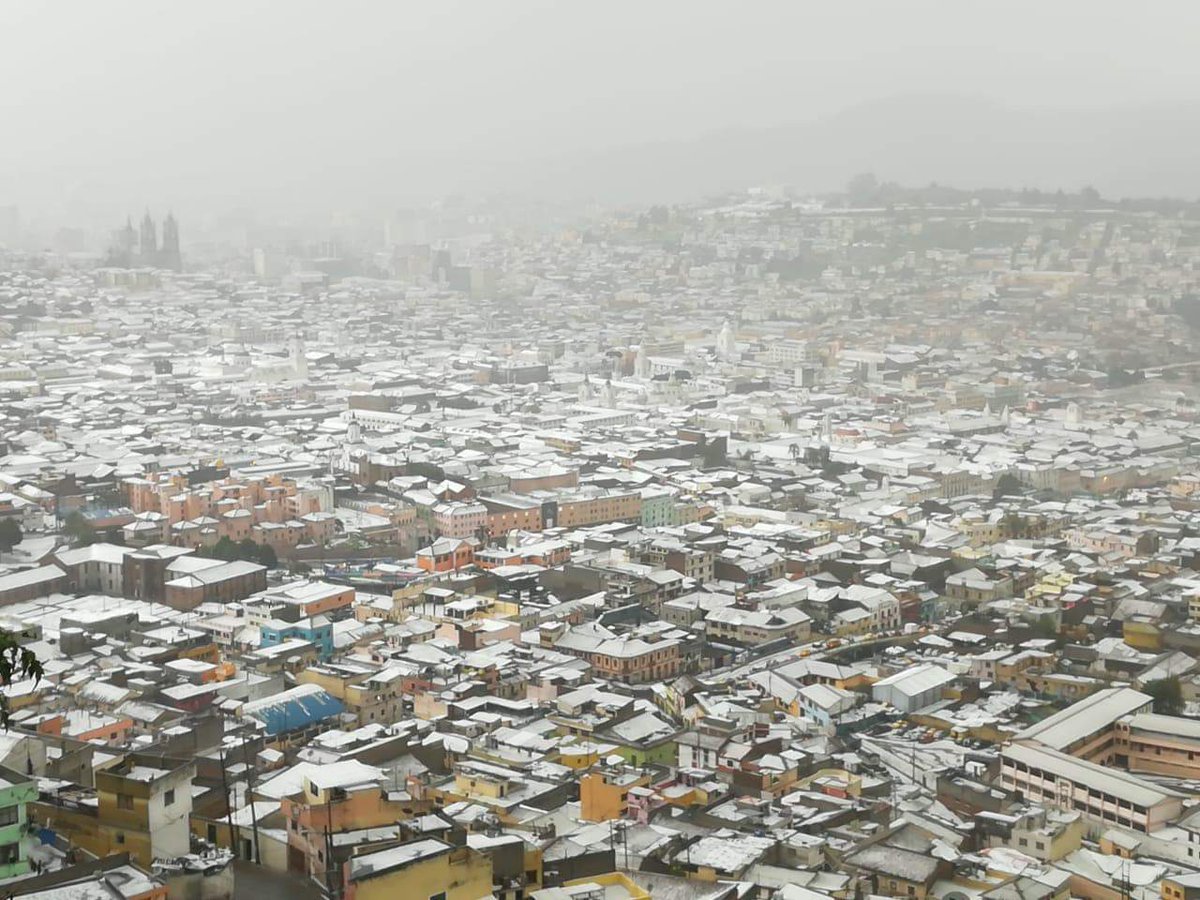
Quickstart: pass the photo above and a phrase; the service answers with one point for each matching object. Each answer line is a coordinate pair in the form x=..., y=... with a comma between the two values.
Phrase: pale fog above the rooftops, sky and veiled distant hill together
x=217, y=106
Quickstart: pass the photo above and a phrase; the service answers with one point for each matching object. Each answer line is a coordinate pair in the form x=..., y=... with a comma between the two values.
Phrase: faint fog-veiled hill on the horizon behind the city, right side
x=911, y=140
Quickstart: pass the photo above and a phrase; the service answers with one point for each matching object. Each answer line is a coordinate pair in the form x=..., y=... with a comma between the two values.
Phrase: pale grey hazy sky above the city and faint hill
x=220, y=104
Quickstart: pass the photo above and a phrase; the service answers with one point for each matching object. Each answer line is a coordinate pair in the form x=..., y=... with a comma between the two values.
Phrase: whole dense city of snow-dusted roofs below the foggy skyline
x=769, y=547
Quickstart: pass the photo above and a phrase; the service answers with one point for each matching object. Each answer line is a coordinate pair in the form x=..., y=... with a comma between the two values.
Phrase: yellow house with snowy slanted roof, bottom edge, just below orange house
x=425, y=869
